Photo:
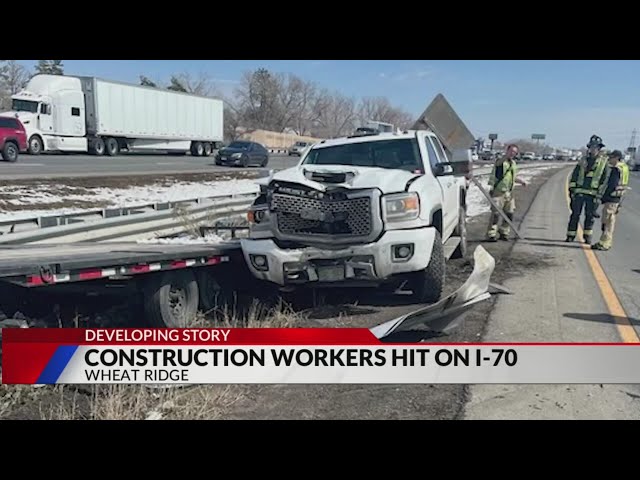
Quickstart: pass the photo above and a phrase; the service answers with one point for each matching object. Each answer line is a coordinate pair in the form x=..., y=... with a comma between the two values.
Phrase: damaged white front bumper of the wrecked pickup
x=396, y=252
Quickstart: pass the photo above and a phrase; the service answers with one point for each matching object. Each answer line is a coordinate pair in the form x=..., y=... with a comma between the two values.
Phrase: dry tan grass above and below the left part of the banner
x=141, y=402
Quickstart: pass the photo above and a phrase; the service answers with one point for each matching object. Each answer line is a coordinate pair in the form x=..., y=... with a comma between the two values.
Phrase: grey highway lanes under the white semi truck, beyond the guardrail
x=65, y=166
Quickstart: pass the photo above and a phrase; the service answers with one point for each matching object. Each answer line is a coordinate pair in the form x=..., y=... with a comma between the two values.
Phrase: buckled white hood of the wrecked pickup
x=386, y=180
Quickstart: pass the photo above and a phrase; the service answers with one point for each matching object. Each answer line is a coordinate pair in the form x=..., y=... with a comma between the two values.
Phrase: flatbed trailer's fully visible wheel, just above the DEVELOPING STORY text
x=171, y=299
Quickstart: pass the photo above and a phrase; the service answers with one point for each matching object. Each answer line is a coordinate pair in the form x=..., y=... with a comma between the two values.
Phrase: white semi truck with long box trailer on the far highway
x=86, y=114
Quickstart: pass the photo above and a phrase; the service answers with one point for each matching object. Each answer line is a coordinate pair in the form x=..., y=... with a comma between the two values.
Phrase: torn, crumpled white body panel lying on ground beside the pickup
x=448, y=313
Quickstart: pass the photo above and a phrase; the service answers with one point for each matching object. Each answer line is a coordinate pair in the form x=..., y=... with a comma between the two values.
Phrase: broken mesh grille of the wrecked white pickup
x=309, y=216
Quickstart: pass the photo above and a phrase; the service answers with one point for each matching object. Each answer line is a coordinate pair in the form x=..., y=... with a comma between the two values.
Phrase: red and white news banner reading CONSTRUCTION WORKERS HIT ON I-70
x=296, y=356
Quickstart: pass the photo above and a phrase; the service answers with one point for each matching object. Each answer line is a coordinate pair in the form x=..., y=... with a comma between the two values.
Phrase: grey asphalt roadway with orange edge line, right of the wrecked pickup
x=562, y=296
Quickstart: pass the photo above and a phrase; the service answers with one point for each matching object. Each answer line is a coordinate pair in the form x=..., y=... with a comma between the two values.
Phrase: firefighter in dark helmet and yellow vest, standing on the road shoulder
x=586, y=186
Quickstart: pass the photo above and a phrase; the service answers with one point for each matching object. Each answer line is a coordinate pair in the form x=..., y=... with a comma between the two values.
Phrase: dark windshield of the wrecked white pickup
x=399, y=154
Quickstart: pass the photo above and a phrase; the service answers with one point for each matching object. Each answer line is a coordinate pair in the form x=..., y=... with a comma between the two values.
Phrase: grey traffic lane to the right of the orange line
x=622, y=263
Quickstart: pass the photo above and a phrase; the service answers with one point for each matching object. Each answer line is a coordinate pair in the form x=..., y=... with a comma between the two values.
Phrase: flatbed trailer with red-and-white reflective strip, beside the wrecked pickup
x=172, y=281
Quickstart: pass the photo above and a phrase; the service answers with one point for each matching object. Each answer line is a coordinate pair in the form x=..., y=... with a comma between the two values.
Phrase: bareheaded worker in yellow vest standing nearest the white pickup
x=504, y=176
